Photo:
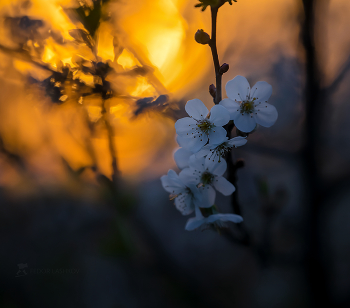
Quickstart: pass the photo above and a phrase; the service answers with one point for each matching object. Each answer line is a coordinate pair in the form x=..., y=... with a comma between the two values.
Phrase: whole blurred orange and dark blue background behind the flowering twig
x=81, y=155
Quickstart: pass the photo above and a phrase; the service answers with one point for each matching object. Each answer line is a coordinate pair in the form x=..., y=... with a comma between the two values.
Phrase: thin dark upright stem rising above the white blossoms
x=214, y=51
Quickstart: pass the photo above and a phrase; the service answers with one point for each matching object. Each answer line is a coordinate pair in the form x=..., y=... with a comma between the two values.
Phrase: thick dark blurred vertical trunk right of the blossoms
x=314, y=105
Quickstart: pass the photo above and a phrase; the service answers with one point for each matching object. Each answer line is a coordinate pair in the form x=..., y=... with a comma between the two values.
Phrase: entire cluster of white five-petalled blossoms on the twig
x=204, y=146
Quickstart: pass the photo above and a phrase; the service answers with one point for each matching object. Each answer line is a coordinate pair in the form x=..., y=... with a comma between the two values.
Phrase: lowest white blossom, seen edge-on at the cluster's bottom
x=218, y=219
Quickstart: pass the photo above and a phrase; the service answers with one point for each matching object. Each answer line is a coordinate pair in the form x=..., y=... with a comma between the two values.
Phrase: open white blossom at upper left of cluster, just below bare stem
x=195, y=131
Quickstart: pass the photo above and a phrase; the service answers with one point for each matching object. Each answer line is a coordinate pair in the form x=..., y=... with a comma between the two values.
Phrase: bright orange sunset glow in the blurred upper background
x=156, y=34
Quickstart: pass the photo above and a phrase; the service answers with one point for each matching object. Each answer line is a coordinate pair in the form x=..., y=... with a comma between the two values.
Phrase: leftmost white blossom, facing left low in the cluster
x=186, y=194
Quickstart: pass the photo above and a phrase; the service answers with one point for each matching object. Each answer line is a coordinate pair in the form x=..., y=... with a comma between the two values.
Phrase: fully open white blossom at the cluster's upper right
x=248, y=106
